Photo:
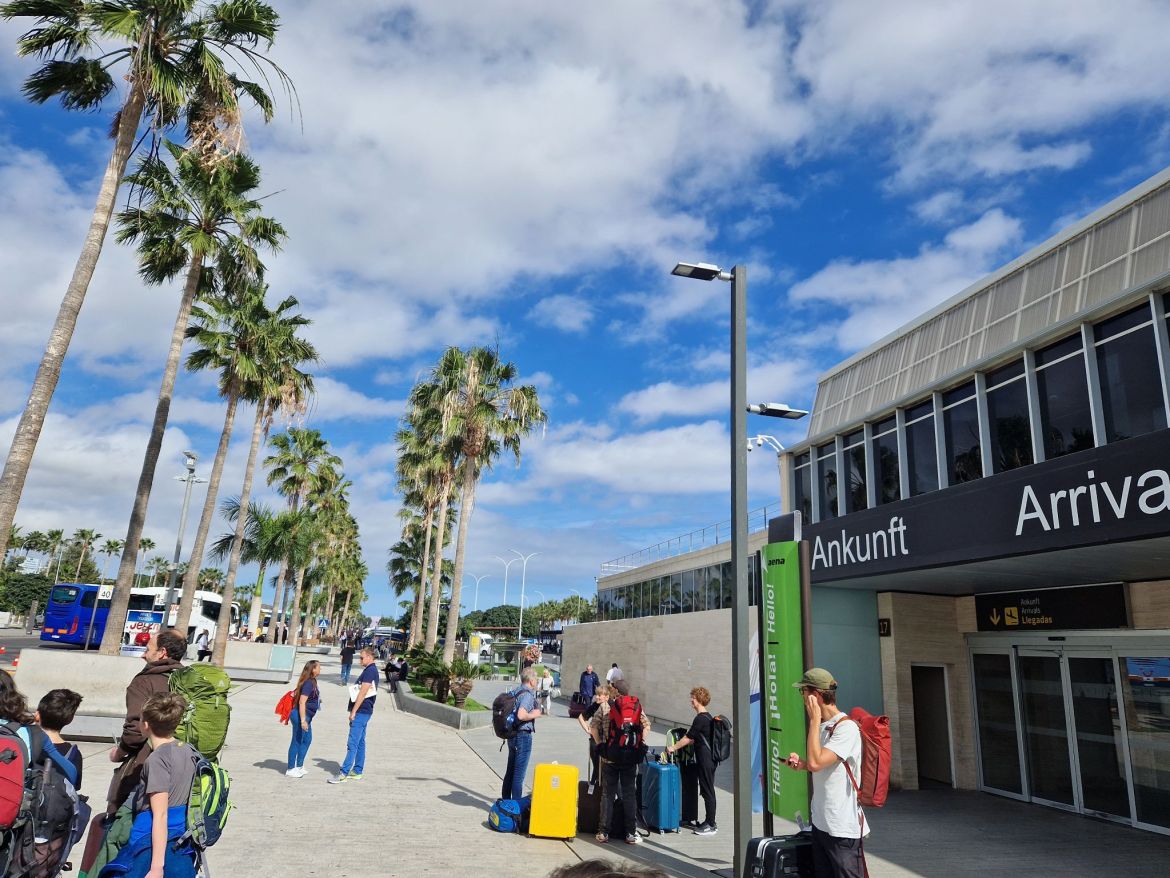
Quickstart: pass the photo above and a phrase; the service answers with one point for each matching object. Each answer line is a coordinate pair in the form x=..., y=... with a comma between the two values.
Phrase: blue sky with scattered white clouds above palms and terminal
x=527, y=174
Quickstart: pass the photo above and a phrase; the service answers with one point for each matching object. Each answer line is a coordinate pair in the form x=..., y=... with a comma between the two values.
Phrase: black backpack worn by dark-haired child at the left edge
x=53, y=818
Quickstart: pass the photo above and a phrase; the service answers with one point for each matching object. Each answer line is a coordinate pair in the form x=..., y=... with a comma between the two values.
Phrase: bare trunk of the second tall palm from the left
x=116, y=621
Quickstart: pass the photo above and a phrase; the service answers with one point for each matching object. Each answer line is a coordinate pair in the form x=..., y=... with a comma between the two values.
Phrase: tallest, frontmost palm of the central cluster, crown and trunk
x=486, y=413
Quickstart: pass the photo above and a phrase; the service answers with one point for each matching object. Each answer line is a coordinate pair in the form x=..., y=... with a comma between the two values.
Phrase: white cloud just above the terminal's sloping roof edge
x=882, y=294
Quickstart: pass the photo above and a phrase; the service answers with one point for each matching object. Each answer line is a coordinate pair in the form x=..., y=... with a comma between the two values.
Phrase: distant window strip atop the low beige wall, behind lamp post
x=705, y=588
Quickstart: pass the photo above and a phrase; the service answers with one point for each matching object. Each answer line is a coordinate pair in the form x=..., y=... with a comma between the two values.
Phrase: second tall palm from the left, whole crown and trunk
x=189, y=215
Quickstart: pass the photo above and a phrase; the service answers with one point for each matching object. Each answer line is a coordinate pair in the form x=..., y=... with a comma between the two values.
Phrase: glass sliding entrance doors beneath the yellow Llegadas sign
x=1072, y=725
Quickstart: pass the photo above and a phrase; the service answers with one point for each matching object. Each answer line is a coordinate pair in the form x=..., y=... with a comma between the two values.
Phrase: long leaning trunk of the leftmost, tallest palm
x=49, y=373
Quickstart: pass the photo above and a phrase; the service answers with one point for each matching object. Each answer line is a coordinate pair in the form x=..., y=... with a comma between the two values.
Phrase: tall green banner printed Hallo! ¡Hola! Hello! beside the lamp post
x=782, y=658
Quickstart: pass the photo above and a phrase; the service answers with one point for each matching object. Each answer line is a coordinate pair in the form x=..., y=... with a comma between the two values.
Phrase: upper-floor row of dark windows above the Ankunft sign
x=1123, y=388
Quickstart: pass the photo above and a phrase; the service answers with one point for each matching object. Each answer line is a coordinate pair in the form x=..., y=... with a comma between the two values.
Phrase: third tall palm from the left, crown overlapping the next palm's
x=237, y=334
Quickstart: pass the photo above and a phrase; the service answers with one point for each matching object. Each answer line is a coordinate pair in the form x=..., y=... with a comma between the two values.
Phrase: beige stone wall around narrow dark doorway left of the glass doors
x=927, y=629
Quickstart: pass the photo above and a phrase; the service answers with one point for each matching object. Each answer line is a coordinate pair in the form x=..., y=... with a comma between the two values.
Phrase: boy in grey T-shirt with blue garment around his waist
x=161, y=800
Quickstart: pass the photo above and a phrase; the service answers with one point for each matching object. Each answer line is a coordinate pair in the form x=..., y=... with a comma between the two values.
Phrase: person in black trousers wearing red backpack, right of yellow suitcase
x=620, y=763
